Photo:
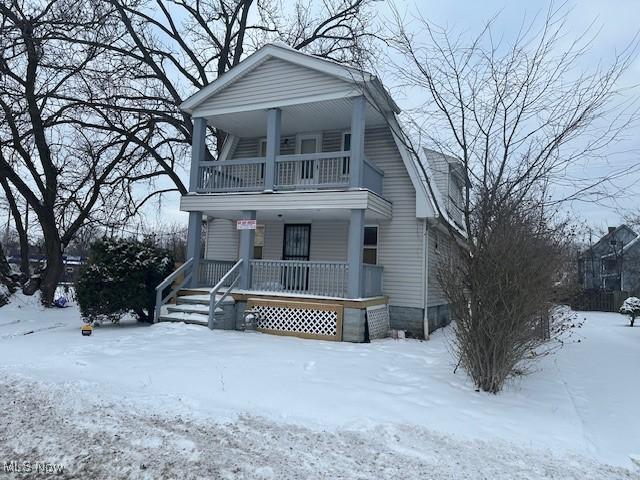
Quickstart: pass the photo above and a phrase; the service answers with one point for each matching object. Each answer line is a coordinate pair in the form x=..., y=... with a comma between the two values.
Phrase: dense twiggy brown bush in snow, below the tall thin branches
x=501, y=293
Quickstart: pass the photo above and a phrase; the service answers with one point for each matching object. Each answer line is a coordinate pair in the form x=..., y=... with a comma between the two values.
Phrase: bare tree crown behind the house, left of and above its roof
x=172, y=48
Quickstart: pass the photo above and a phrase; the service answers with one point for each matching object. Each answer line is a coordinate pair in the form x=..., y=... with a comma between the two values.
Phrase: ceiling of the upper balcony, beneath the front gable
x=308, y=117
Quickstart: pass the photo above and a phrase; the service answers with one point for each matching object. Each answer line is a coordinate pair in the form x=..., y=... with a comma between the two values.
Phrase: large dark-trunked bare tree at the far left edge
x=64, y=171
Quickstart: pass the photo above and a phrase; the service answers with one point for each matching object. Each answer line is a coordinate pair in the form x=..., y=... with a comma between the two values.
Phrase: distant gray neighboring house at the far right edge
x=613, y=262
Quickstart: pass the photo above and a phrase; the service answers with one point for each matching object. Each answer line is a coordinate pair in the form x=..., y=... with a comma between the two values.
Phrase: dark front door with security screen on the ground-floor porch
x=297, y=240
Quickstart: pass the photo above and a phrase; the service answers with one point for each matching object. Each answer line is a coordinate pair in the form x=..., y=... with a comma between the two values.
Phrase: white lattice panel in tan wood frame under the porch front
x=300, y=319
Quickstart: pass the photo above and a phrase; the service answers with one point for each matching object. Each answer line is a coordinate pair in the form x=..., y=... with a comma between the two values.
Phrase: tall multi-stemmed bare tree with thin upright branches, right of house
x=519, y=115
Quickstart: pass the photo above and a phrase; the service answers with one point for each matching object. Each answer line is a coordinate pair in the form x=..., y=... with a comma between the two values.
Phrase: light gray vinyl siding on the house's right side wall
x=399, y=239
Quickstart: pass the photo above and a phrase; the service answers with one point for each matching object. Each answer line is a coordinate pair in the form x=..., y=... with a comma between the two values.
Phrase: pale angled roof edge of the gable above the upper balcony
x=370, y=83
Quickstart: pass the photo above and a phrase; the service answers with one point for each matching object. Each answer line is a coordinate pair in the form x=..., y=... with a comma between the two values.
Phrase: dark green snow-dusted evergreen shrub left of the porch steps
x=120, y=277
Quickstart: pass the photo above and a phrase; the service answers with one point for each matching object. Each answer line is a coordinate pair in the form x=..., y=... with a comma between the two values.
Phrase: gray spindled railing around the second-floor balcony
x=313, y=171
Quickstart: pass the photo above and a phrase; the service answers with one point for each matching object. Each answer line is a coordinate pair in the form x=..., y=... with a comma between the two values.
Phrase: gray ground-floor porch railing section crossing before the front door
x=291, y=276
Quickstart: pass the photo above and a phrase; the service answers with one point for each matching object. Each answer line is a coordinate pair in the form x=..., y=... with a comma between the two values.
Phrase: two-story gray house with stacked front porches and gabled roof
x=344, y=219
